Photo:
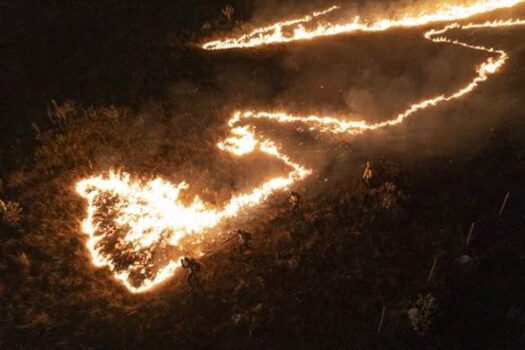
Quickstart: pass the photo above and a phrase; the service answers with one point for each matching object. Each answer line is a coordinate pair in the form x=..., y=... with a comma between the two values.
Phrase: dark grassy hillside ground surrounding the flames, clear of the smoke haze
x=389, y=264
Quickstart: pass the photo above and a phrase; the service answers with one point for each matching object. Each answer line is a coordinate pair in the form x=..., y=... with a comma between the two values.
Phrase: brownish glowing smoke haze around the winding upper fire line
x=370, y=77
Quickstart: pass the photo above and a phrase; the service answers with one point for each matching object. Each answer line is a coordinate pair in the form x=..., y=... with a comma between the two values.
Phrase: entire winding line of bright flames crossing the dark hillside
x=136, y=228
